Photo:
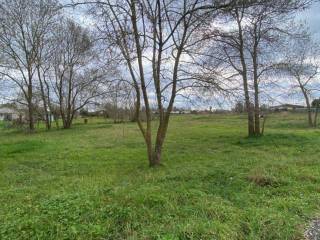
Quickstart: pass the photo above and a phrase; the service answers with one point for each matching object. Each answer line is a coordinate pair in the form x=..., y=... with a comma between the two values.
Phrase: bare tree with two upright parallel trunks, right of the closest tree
x=246, y=44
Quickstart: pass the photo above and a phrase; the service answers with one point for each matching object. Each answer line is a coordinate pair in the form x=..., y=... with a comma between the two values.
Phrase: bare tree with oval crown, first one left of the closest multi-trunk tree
x=76, y=78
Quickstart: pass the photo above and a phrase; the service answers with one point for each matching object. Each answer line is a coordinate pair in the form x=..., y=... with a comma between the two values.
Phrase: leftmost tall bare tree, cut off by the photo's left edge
x=23, y=24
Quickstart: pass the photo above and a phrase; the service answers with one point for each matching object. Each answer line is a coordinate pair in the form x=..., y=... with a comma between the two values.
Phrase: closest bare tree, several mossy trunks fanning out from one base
x=151, y=38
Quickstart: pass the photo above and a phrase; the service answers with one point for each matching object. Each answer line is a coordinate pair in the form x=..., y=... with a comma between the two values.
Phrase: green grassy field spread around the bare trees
x=93, y=181
